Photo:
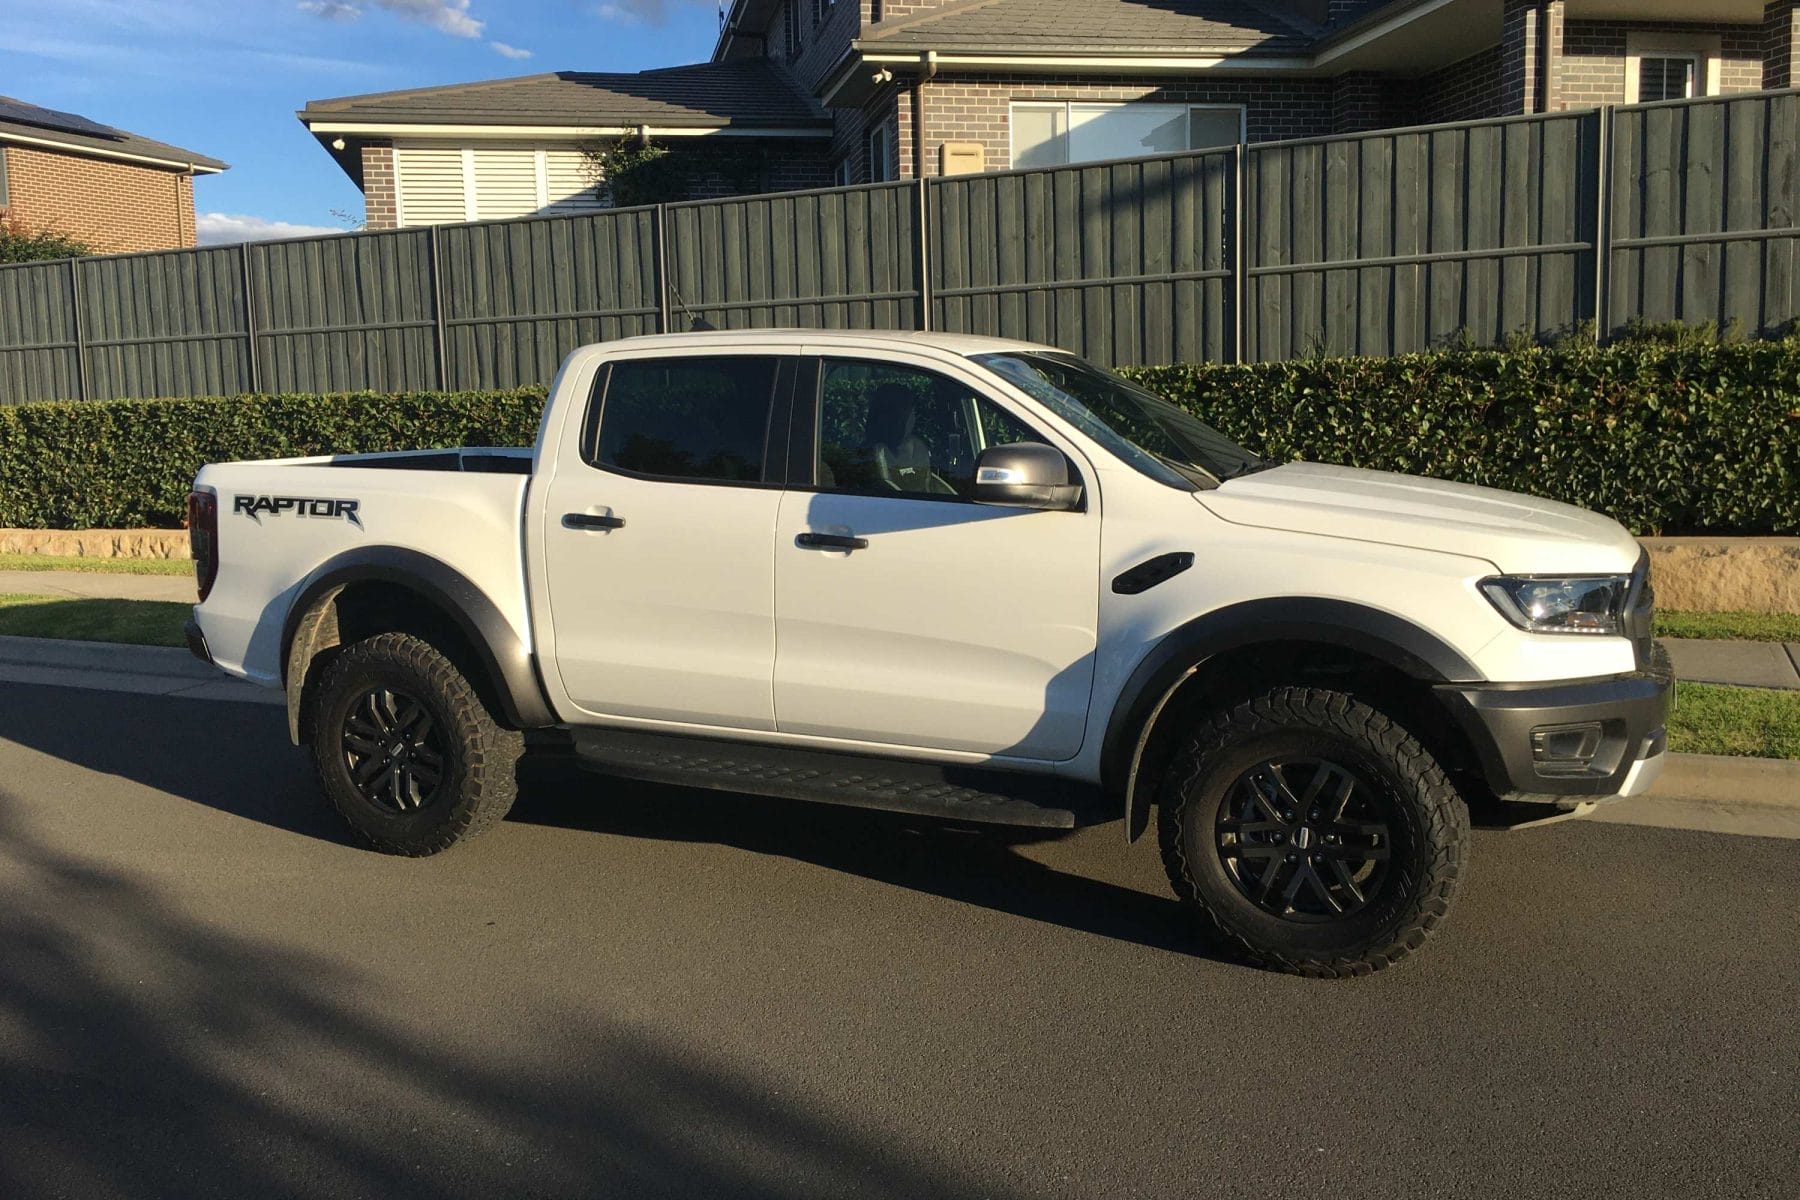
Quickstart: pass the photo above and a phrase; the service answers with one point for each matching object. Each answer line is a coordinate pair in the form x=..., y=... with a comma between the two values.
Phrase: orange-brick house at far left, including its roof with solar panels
x=112, y=190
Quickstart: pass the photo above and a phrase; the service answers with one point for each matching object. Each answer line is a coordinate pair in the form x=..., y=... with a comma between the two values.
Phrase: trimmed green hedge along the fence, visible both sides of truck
x=1669, y=434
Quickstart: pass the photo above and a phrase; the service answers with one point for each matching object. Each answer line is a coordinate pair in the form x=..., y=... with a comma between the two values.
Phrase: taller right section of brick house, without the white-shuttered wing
x=984, y=85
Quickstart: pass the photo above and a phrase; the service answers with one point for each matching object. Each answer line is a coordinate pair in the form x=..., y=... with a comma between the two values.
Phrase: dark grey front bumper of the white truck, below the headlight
x=1570, y=740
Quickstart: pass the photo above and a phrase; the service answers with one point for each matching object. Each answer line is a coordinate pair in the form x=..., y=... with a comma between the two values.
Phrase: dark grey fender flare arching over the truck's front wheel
x=1185, y=650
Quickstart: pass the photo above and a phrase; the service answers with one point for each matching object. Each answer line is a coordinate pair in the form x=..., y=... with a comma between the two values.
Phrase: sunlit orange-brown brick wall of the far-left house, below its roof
x=111, y=206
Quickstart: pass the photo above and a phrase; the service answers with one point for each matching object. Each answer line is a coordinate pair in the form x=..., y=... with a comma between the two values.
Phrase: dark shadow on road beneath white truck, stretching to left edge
x=237, y=758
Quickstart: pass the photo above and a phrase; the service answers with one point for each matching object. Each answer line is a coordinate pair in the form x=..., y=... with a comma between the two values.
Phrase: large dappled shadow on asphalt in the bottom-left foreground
x=148, y=1053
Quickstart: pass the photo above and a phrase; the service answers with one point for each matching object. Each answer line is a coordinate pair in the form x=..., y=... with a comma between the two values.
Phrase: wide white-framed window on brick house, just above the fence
x=1050, y=136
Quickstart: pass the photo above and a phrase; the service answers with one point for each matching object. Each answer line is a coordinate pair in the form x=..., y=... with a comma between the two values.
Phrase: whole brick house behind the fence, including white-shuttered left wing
x=859, y=91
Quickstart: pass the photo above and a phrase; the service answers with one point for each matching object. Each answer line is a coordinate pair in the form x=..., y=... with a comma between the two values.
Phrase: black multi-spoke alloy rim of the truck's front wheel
x=1306, y=839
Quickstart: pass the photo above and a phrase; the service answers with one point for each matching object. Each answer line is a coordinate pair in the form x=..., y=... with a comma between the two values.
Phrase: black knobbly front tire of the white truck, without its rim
x=1430, y=832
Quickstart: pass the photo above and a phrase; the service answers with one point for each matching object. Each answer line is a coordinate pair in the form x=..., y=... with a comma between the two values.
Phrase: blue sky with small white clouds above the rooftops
x=224, y=78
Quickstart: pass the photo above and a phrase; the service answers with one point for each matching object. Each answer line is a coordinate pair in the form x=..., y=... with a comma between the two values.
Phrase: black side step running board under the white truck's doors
x=894, y=785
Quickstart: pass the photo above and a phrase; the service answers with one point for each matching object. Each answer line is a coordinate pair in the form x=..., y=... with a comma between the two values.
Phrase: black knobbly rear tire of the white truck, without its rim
x=478, y=782
